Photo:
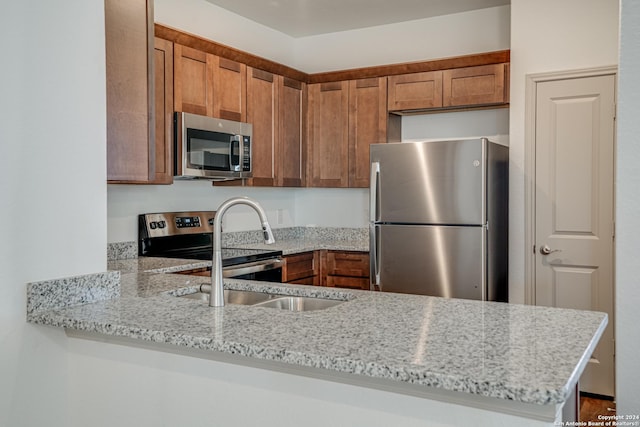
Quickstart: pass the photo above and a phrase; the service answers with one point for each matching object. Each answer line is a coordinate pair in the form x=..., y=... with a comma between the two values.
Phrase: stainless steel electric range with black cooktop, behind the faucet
x=189, y=235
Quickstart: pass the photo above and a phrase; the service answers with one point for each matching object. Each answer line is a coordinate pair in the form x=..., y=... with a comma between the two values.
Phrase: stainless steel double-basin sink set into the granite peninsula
x=261, y=299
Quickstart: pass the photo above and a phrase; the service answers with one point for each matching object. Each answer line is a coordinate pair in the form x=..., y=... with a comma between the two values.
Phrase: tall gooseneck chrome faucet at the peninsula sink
x=216, y=298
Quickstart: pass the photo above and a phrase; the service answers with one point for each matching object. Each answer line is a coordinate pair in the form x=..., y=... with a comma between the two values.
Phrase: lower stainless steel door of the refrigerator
x=444, y=261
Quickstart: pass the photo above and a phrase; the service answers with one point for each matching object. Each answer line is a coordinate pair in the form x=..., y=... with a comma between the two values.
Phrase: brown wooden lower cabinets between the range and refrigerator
x=336, y=269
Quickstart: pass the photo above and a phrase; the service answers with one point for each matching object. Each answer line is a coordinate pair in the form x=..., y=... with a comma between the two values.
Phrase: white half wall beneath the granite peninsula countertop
x=147, y=388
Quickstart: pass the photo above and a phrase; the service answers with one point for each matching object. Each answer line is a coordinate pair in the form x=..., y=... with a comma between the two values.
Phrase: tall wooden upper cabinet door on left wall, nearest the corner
x=290, y=157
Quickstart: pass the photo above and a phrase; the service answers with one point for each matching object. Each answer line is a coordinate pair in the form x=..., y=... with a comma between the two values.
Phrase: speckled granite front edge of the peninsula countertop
x=397, y=372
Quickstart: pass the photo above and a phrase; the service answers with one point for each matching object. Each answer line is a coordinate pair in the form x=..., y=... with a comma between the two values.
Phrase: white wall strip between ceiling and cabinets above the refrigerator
x=431, y=38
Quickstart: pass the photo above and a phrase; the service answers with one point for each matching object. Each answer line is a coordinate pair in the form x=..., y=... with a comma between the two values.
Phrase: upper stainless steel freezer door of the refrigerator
x=439, y=182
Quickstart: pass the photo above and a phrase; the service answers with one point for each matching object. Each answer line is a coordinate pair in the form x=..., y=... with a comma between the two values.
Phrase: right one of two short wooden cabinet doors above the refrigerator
x=474, y=86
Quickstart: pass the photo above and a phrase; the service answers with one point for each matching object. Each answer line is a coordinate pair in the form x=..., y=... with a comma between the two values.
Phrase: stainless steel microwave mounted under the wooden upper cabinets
x=211, y=148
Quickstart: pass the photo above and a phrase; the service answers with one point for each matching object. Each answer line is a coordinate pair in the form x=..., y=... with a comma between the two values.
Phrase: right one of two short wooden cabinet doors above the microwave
x=230, y=89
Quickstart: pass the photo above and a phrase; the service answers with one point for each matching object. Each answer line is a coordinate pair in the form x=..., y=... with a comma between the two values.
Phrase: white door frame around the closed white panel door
x=532, y=81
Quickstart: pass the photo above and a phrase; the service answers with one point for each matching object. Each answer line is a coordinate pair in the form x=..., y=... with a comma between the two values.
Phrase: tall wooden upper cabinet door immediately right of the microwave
x=262, y=96
